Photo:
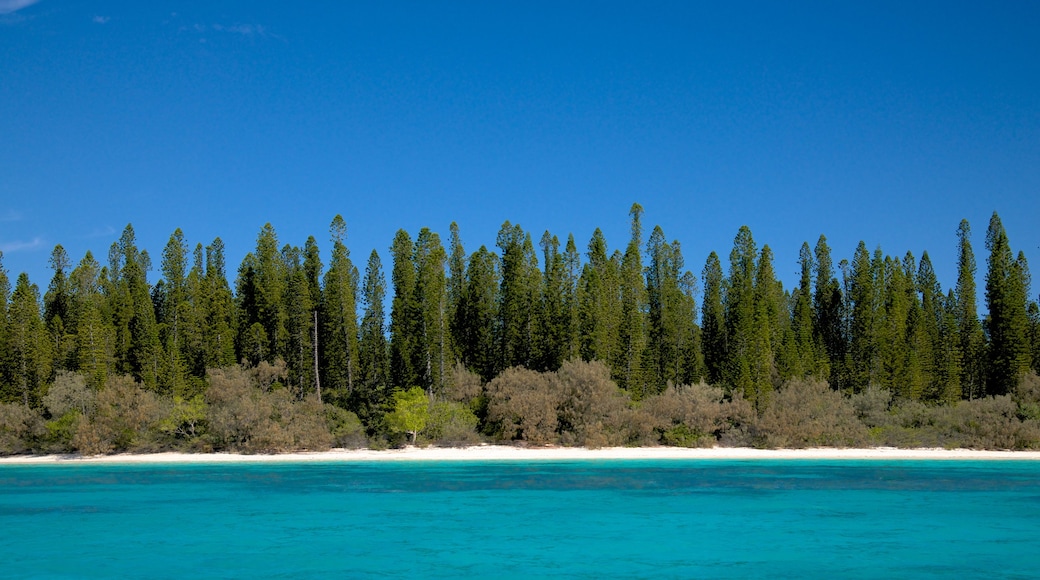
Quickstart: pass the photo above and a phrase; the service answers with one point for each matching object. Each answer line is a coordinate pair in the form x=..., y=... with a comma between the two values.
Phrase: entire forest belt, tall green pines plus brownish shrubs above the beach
x=543, y=345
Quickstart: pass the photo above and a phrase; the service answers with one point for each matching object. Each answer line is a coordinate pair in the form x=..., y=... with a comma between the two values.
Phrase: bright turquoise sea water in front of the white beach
x=674, y=519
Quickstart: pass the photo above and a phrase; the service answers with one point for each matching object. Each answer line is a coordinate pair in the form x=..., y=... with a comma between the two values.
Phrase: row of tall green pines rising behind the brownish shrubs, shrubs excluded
x=876, y=320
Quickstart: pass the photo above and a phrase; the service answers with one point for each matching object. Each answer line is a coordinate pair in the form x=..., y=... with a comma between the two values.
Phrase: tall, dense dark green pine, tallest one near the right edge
x=1008, y=353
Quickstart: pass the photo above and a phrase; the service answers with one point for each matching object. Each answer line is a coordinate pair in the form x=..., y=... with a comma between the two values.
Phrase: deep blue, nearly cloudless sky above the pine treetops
x=887, y=123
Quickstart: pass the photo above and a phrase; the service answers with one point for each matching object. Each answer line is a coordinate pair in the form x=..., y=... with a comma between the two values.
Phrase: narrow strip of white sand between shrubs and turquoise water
x=503, y=453
